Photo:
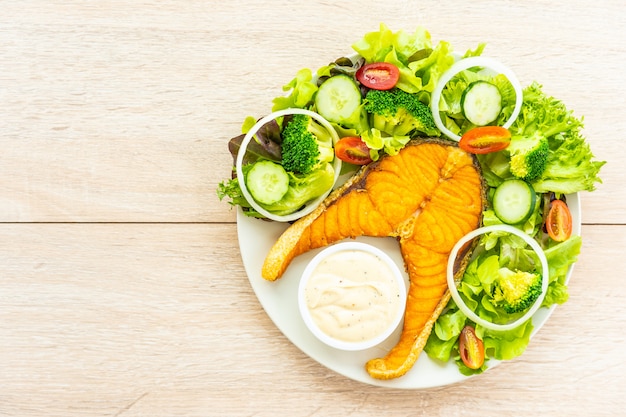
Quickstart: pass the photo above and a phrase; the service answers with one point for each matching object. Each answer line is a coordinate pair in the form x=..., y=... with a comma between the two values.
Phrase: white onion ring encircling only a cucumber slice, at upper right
x=463, y=64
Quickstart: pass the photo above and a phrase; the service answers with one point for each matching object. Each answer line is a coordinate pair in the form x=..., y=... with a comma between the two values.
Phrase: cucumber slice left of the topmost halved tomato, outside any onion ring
x=338, y=98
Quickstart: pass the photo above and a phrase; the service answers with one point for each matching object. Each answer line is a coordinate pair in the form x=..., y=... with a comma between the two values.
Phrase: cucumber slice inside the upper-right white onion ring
x=481, y=103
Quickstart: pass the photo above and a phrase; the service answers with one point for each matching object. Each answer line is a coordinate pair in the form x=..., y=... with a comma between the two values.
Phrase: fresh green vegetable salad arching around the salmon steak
x=399, y=86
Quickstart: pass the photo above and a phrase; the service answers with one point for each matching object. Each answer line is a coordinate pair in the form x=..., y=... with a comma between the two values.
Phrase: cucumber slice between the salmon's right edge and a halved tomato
x=514, y=201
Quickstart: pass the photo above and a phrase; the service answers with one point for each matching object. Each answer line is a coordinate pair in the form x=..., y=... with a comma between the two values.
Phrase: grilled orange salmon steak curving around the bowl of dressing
x=428, y=196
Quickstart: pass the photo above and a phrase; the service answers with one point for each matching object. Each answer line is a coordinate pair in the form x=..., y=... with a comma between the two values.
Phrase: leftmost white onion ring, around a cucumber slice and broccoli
x=311, y=205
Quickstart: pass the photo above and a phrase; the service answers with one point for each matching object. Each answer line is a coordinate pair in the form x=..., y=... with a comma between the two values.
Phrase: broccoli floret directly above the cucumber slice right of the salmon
x=529, y=156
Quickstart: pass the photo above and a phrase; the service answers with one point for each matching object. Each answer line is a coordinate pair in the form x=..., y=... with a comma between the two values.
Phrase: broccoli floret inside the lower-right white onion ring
x=516, y=291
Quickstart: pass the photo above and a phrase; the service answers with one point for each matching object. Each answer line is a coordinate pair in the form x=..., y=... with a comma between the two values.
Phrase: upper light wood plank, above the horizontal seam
x=121, y=111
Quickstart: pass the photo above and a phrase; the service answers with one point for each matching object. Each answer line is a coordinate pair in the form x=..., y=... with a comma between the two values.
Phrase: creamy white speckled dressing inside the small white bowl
x=353, y=296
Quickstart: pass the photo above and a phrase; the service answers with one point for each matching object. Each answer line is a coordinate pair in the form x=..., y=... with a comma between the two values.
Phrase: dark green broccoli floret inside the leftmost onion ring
x=306, y=145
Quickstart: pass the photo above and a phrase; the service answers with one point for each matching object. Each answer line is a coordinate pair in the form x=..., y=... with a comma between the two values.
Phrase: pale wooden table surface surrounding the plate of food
x=122, y=289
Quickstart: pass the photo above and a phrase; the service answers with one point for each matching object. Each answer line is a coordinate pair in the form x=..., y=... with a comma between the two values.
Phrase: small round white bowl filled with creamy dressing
x=352, y=296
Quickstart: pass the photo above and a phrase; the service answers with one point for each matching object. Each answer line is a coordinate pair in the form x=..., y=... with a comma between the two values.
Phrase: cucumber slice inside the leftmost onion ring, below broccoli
x=267, y=181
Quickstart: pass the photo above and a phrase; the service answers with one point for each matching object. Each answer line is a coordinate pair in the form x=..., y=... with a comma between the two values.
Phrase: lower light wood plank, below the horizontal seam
x=161, y=320
